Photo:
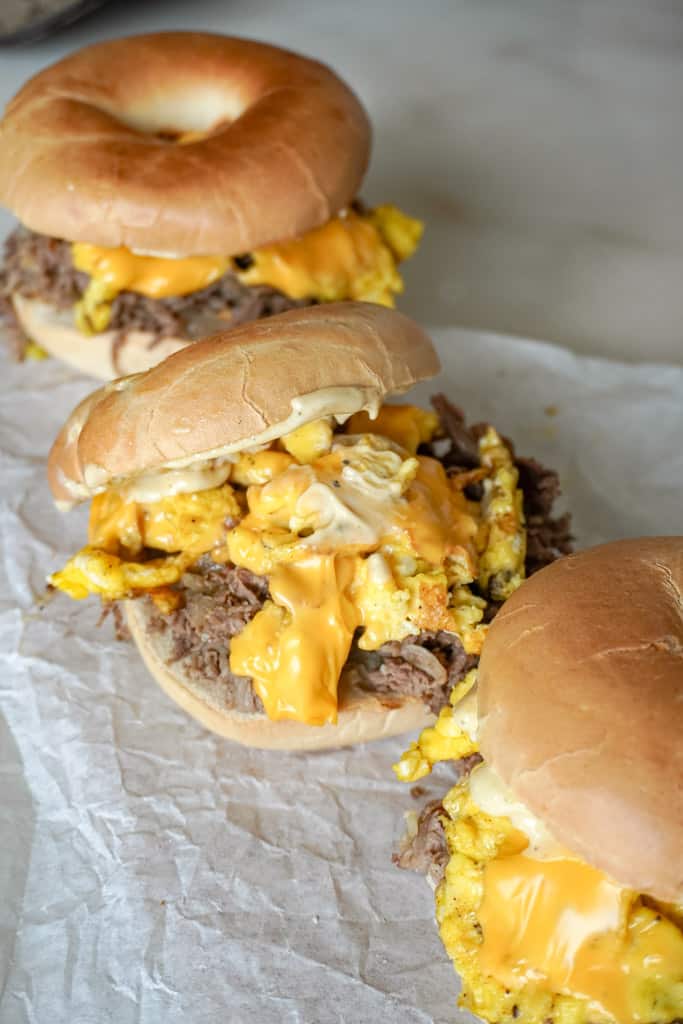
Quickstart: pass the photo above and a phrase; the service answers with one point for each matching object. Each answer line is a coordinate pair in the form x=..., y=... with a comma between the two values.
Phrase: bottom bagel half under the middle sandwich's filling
x=363, y=716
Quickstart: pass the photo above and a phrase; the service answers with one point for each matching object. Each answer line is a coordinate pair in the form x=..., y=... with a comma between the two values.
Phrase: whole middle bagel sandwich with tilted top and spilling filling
x=303, y=565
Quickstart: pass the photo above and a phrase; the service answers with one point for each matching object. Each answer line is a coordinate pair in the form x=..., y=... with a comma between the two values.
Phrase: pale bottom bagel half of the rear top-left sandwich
x=55, y=331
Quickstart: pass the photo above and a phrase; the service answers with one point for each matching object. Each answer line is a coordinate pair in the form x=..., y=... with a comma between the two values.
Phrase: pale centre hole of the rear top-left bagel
x=183, y=119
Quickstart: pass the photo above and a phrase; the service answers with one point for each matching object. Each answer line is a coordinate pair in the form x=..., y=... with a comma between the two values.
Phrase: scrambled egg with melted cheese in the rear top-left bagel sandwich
x=354, y=257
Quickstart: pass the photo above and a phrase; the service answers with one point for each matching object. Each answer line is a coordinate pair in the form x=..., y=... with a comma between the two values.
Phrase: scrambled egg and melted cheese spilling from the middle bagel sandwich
x=355, y=531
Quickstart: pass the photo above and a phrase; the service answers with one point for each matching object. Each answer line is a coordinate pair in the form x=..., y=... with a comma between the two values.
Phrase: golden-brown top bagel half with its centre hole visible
x=81, y=157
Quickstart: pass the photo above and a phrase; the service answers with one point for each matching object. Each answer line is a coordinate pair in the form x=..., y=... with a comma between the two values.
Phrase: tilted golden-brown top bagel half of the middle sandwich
x=232, y=389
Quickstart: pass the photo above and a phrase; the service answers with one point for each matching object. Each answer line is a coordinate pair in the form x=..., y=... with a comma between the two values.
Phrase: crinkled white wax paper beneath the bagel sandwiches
x=153, y=873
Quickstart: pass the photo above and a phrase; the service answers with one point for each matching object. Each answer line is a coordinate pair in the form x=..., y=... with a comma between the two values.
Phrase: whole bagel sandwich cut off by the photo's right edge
x=558, y=860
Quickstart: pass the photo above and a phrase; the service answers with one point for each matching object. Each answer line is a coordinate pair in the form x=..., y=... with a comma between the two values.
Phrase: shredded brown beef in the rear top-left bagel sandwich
x=38, y=267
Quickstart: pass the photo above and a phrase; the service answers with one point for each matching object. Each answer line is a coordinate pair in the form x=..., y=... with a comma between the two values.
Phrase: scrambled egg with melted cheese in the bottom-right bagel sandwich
x=539, y=938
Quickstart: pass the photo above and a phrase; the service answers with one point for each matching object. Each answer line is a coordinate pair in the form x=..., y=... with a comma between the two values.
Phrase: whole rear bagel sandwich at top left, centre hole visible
x=172, y=186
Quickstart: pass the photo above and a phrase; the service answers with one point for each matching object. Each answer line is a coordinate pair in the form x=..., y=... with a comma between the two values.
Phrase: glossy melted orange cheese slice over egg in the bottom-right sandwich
x=565, y=924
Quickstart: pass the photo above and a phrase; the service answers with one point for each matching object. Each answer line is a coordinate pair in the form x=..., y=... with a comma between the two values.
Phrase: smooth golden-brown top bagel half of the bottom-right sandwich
x=581, y=698
